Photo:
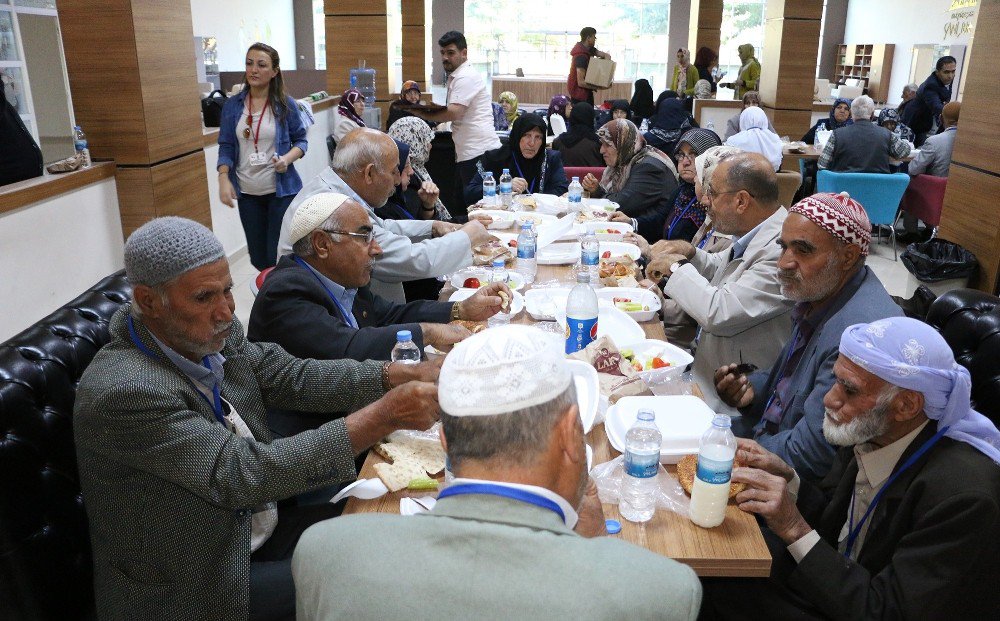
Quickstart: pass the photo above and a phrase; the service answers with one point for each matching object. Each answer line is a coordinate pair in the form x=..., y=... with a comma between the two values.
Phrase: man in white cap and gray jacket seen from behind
x=517, y=535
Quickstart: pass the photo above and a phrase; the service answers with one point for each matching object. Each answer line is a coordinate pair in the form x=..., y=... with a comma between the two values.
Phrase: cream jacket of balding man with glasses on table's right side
x=738, y=304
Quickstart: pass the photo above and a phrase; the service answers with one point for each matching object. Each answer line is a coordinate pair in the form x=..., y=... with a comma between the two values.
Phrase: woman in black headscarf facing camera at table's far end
x=534, y=168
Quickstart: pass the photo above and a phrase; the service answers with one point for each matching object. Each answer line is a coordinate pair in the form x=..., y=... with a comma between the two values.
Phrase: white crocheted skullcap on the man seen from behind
x=502, y=370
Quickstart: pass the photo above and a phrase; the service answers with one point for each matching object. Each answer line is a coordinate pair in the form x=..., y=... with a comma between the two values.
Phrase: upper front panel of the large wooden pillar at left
x=99, y=43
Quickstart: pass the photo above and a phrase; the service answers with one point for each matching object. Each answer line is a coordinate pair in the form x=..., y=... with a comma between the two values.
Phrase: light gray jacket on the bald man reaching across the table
x=408, y=250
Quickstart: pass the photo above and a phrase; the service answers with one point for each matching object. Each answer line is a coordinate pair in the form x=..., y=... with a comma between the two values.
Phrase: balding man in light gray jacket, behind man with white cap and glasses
x=364, y=167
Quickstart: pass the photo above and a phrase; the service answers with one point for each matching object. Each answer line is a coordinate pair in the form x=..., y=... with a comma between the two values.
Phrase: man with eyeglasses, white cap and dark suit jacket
x=317, y=302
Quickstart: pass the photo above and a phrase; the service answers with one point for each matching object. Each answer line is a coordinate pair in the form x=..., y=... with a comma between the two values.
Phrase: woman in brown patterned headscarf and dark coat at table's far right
x=640, y=178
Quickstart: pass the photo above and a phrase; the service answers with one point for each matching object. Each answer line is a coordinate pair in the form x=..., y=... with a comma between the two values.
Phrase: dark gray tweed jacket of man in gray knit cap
x=169, y=491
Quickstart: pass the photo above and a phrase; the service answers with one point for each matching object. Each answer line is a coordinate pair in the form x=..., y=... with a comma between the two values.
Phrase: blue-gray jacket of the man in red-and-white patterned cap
x=799, y=439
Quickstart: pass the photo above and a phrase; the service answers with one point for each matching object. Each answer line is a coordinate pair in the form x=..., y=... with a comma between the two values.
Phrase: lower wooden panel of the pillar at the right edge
x=970, y=218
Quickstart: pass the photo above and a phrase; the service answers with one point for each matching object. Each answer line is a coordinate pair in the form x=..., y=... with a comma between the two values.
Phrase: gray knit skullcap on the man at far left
x=164, y=248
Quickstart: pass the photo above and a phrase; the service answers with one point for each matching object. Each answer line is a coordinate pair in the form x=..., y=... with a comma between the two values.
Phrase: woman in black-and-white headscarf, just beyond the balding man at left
x=420, y=196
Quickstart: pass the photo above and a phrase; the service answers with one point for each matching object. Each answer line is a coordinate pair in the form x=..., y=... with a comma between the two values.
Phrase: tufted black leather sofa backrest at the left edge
x=45, y=563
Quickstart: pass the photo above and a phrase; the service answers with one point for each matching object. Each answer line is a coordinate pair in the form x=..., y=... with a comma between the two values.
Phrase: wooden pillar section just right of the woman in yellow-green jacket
x=788, y=67
